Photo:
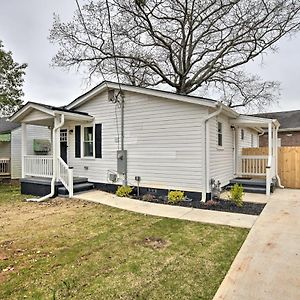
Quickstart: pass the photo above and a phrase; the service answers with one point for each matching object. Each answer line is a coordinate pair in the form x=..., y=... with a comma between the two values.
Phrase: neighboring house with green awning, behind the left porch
x=10, y=146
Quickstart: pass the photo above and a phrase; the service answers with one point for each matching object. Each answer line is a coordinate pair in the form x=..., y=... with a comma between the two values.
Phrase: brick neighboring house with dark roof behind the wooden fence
x=289, y=131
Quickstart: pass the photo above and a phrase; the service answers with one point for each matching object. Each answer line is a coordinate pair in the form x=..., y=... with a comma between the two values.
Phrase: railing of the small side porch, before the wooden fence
x=253, y=165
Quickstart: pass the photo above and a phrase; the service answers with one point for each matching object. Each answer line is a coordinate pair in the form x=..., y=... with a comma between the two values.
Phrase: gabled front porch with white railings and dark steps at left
x=47, y=173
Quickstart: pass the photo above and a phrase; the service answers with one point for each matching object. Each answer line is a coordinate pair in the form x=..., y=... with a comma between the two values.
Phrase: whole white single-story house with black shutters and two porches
x=171, y=142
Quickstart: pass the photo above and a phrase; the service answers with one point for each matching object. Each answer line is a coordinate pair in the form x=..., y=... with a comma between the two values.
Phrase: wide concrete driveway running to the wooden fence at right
x=268, y=264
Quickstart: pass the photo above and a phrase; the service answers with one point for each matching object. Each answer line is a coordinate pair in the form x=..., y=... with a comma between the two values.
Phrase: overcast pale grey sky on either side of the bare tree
x=24, y=29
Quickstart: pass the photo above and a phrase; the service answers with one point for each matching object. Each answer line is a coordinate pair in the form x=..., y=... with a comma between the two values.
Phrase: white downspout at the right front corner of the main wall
x=207, y=145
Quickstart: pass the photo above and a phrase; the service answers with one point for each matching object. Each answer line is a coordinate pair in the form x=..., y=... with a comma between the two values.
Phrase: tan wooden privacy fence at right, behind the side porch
x=288, y=164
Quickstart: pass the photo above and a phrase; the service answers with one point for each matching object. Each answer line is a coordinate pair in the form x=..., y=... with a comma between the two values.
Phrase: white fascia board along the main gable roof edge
x=145, y=91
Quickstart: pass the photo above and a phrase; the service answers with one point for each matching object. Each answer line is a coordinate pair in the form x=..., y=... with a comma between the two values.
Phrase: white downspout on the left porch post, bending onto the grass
x=54, y=145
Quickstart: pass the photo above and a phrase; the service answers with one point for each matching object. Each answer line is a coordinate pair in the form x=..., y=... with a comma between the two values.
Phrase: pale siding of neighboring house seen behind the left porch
x=33, y=132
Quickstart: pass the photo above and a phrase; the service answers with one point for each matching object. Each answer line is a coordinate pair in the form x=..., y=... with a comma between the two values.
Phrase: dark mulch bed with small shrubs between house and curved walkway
x=248, y=208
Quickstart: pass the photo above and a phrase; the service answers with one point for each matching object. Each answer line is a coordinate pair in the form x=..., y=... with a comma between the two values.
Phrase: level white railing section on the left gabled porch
x=38, y=165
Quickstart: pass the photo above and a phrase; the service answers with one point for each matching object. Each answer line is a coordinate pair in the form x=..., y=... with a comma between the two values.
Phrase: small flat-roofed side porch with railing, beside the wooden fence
x=256, y=172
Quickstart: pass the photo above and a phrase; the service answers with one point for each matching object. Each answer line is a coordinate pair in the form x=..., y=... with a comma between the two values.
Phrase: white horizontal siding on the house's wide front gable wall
x=164, y=140
